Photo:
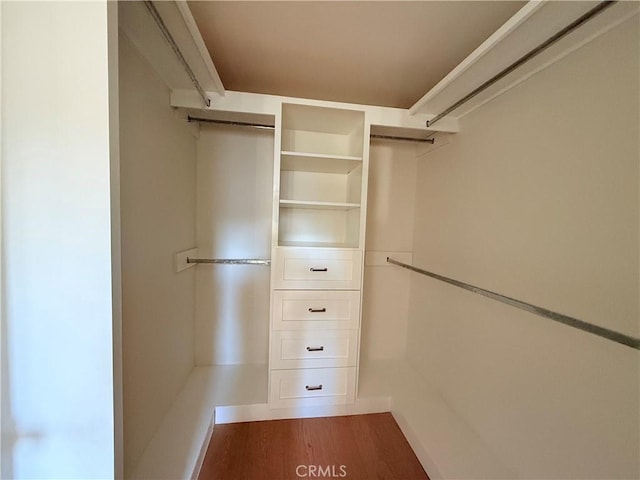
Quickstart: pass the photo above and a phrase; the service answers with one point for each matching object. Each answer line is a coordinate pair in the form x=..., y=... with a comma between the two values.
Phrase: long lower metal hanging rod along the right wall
x=555, y=316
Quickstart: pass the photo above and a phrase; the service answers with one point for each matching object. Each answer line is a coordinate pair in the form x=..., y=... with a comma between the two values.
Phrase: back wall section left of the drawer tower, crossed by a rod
x=235, y=191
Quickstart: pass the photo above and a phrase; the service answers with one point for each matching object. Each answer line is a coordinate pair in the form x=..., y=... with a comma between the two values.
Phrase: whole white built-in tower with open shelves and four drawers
x=320, y=180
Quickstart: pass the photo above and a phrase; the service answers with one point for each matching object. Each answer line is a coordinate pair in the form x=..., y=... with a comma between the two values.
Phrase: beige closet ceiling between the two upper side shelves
x=375, y=53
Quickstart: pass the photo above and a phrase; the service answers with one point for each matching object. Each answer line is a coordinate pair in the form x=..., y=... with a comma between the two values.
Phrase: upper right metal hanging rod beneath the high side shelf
x=525, y=58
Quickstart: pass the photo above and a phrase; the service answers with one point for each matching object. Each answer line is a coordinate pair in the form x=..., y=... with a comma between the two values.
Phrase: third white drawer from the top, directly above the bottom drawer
x=319, y=348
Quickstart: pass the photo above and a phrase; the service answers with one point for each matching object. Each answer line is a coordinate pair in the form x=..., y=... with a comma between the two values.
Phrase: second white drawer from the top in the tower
x=312, y=309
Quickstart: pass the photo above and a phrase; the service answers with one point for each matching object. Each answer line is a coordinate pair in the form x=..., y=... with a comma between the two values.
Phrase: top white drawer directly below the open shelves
x=317, y=268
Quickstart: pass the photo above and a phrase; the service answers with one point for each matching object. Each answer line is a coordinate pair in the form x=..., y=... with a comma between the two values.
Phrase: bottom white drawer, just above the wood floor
x=313, y=386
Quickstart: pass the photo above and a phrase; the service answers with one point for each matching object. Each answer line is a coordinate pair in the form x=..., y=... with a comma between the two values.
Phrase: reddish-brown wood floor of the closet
x=358, y=447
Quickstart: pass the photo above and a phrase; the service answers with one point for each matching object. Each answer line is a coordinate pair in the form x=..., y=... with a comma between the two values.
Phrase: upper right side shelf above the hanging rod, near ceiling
x=528, y=28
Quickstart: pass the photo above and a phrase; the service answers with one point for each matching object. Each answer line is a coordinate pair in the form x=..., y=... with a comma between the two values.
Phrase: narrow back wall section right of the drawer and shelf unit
x=390, y=212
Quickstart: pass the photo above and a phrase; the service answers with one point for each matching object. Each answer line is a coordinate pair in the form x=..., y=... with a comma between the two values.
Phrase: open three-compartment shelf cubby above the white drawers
x=321, y=176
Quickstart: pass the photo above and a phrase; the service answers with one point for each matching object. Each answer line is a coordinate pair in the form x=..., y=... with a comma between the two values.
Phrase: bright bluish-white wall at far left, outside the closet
x=57, y=364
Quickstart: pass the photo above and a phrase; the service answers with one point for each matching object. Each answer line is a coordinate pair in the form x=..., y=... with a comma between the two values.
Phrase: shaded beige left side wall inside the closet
x=158, y=184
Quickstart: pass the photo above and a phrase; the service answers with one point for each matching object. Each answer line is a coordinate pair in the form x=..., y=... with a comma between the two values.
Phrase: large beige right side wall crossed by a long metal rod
x=537, y=198
